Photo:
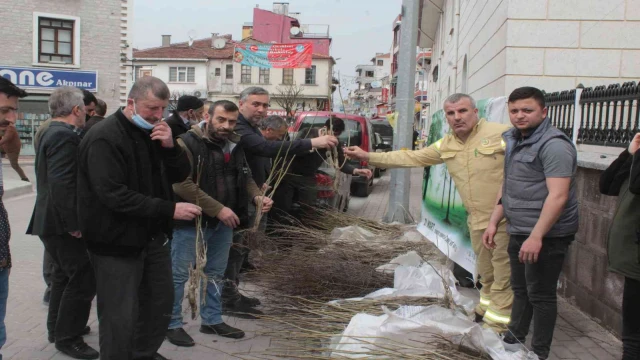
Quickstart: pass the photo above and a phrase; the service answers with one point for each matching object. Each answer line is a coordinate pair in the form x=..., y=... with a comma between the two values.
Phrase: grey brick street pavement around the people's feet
x=576, y=335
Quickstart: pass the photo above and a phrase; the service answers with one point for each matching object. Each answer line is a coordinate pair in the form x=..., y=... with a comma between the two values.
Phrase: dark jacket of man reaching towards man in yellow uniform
x=259, y=151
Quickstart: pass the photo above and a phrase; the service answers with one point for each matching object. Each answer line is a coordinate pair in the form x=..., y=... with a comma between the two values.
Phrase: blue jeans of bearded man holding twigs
x=183, y=257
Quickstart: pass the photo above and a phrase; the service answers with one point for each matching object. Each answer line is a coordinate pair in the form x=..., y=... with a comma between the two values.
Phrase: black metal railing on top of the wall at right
x=606, y=115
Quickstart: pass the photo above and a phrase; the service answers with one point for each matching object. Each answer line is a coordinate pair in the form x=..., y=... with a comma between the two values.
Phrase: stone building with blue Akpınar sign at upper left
x=53, y=44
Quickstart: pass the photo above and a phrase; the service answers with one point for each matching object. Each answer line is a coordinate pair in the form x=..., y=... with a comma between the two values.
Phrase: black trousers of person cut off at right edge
x=631, y=320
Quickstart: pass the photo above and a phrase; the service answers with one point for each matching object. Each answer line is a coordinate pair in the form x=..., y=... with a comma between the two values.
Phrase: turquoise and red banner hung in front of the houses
x=274, y=55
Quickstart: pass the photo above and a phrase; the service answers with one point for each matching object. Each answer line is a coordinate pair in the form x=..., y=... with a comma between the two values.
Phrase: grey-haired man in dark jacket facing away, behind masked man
x=55, y=220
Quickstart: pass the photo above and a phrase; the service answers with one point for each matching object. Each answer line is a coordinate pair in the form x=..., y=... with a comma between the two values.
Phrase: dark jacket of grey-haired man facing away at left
x=55, y=211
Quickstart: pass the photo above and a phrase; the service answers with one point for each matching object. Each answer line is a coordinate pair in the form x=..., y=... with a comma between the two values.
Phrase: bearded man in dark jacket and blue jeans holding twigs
x=221, y=183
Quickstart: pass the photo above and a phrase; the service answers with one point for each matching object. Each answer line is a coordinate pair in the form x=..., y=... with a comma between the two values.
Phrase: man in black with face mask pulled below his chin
x=127, y=164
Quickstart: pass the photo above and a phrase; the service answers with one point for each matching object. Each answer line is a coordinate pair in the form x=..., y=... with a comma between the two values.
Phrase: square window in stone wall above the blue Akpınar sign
x=55, y=40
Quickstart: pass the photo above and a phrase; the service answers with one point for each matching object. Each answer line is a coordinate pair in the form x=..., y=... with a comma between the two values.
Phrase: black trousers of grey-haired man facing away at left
x=72, y=287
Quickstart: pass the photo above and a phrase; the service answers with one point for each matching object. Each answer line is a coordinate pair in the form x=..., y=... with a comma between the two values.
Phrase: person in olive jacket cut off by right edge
x=622, y=179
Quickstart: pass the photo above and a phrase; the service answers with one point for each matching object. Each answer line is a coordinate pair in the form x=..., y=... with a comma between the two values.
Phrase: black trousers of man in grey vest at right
x=534, y=291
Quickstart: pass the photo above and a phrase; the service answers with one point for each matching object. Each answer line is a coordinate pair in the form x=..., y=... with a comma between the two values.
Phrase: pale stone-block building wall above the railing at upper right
x=488, y=48
